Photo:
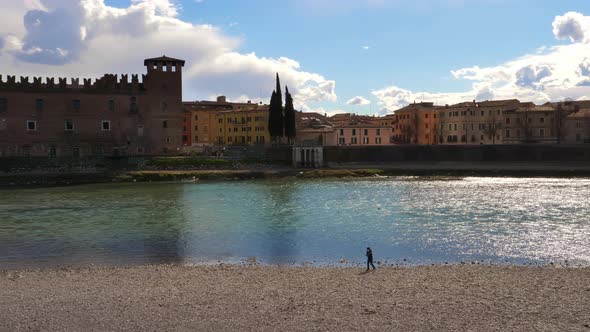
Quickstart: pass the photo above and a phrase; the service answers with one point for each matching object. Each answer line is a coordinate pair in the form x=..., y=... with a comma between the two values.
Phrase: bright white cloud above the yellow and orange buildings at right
x=550, y=74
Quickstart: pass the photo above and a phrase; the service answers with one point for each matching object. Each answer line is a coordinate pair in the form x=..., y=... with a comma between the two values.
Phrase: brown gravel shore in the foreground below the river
x=267, y=298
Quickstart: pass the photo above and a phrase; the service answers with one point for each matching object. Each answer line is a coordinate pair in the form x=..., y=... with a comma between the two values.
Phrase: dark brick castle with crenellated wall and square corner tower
x=109, y=117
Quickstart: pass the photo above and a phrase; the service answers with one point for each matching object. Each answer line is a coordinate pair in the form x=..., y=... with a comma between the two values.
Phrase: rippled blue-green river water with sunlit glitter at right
x=422, y=220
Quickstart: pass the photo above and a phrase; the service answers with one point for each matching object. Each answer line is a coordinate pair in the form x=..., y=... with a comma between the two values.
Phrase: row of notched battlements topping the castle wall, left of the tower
x=108, y=83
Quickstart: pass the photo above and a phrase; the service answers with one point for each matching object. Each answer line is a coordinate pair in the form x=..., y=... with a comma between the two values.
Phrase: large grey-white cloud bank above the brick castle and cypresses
x=90, y=38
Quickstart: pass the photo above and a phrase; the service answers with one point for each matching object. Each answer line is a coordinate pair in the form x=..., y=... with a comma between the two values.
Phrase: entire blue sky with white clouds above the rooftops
x=359, y=56
